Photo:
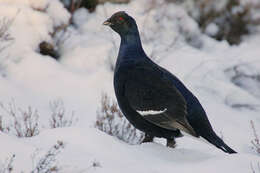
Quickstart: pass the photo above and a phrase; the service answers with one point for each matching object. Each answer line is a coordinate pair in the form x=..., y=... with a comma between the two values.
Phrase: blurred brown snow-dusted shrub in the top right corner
x=225, y=20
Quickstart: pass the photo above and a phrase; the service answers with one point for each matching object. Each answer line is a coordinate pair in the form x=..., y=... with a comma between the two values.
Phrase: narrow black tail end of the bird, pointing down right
x=219, y=143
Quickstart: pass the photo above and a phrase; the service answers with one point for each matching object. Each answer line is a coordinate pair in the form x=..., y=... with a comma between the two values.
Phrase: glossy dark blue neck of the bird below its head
x=131, y=47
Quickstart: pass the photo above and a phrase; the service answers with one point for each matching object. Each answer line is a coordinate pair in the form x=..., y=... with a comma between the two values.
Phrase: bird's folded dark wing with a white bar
x=152, y=94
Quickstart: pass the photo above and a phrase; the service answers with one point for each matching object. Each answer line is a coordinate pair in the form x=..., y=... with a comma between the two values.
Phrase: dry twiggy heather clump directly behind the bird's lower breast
x=111, y=121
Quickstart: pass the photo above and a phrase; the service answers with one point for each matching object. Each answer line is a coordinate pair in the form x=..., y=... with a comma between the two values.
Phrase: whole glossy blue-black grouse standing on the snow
x=151, y=98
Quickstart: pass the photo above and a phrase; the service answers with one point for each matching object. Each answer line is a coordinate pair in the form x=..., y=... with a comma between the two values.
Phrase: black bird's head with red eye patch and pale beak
x=122, y=23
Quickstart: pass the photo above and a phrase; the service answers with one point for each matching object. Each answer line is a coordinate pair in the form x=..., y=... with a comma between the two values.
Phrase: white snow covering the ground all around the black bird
x=83, y=73
